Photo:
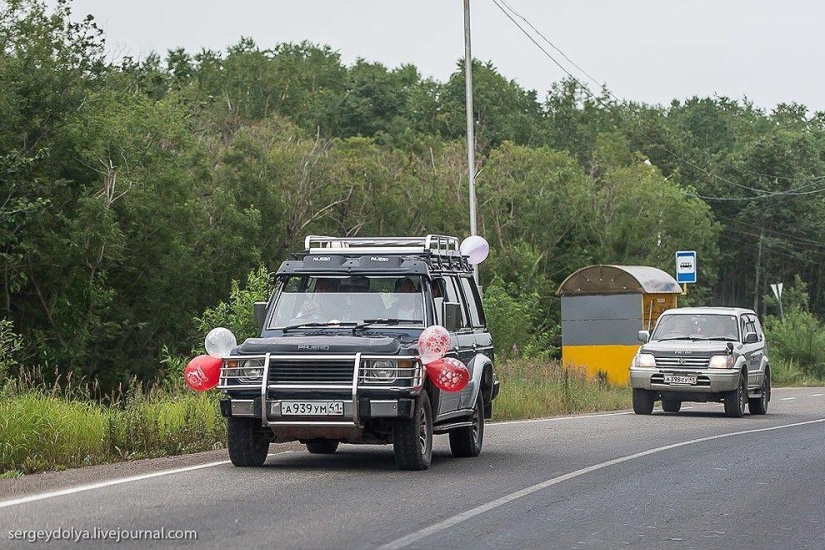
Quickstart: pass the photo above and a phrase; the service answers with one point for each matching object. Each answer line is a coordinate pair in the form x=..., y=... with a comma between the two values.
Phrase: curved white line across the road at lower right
x=469, y=514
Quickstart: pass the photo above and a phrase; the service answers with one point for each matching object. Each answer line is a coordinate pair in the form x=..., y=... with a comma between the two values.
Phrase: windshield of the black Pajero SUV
x=318, y=301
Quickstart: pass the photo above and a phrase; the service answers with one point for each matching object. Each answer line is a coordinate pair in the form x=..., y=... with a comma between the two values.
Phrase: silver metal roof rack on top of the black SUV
x=434, y=245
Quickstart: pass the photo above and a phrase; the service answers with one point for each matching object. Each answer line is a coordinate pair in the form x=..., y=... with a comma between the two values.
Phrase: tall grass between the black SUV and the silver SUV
x=534, y=388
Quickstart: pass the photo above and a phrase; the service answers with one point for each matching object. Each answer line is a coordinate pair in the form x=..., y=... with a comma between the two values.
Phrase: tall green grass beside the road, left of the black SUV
x=58, y=426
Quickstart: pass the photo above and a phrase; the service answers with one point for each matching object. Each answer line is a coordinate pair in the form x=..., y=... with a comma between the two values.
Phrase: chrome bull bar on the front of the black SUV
x=253, y=372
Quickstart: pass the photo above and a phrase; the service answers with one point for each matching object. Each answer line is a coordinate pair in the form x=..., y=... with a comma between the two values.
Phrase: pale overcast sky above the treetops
x=644, y=50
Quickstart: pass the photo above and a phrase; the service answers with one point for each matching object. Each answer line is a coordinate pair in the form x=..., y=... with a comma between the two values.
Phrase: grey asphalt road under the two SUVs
x=692, y=480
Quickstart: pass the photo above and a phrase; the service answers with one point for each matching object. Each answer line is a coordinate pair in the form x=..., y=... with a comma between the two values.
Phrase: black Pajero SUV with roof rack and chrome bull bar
x=337, y=358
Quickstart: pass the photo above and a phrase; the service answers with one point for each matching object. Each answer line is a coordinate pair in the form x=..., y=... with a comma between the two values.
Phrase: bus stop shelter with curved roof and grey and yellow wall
x=603, y=308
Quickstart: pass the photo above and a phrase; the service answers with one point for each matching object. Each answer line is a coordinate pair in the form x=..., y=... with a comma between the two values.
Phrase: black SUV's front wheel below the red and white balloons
x=412, y=439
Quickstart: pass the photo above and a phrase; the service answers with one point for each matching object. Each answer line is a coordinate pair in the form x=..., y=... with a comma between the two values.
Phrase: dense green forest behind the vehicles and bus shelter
x=141, y=202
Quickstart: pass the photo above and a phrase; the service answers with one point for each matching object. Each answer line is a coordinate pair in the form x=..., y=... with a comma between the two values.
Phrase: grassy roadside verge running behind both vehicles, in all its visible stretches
x=57, y=427
